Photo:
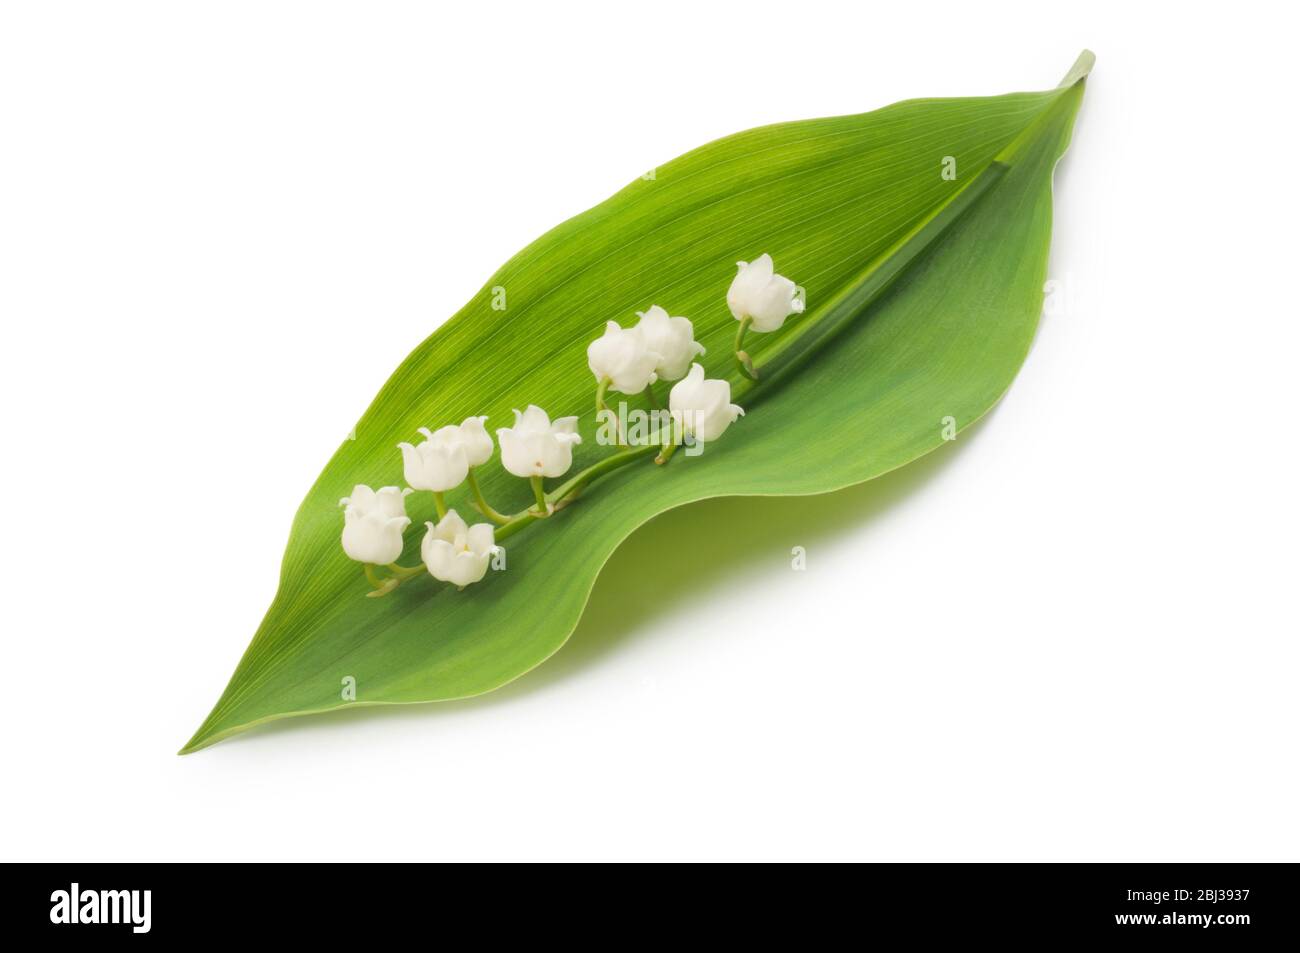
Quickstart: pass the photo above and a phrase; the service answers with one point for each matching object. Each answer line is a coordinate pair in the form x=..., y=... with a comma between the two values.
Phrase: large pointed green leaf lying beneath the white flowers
x=924, y=297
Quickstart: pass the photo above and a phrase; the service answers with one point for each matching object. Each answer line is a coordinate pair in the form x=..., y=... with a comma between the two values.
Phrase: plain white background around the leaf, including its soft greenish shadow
x=1069, y=636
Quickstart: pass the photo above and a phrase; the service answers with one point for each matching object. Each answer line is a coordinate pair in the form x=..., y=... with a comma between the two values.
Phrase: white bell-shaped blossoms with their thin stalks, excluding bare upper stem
x=627, y=361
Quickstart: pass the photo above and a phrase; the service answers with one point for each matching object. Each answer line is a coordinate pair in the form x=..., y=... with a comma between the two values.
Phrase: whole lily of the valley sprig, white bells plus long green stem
x=626, y=361
